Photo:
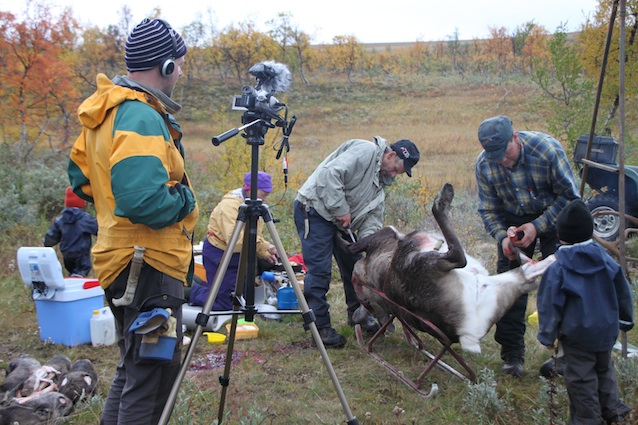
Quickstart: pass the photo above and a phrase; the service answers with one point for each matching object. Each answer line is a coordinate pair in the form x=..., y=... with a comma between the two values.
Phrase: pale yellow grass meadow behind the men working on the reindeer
x=441, y=118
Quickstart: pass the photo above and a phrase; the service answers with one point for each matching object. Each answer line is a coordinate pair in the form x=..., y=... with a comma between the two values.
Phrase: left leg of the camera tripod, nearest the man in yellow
x=202, y=321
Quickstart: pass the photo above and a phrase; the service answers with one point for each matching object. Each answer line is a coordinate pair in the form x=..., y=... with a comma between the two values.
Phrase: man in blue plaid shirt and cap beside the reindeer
x=524, y=181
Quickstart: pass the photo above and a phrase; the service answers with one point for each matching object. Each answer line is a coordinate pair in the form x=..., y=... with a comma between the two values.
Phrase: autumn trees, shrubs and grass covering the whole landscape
x=435, y=94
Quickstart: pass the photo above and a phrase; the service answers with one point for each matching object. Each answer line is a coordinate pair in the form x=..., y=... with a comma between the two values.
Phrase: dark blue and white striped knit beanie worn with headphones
x=150, y=43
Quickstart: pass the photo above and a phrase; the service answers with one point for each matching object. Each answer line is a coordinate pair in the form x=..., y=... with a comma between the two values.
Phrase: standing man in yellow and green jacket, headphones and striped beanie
x=129, y=161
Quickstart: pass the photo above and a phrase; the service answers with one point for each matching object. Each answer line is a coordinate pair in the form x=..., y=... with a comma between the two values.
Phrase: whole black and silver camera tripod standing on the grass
x=247, y=218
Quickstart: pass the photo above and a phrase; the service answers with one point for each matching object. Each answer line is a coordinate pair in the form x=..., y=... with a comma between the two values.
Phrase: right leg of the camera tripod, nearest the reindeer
x=309, y=319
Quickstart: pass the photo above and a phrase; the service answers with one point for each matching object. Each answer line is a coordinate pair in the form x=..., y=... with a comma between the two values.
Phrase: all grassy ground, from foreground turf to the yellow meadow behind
x=279, y=378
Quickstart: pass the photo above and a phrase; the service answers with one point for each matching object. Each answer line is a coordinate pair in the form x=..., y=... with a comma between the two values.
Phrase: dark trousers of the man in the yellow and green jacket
x=141, y=387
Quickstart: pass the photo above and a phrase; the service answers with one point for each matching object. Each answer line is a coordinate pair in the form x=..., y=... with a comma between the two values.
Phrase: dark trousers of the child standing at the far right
x=590, y=379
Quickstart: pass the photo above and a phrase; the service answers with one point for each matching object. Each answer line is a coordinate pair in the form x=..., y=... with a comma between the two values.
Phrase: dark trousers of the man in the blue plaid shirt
x=510, y=329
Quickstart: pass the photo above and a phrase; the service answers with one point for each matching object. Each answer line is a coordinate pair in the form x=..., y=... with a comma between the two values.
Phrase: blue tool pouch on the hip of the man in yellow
x=159, y=333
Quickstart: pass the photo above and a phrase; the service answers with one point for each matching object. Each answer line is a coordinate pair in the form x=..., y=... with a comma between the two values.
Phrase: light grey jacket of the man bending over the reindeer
x=349, y=180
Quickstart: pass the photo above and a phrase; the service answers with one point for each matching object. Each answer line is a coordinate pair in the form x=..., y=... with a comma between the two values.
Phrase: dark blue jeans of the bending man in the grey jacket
x=317, y=251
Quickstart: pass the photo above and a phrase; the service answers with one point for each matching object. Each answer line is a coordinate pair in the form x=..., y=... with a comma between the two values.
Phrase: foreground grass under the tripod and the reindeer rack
x=280, y=378
